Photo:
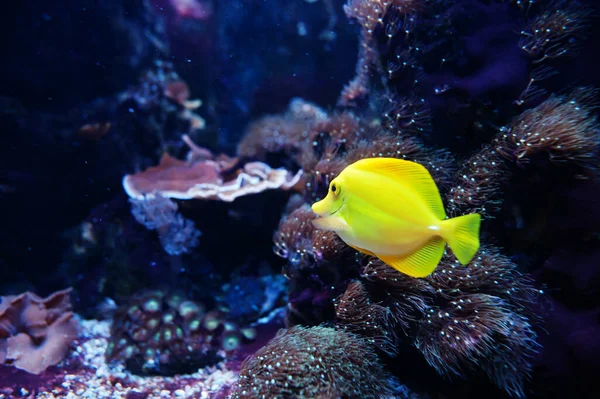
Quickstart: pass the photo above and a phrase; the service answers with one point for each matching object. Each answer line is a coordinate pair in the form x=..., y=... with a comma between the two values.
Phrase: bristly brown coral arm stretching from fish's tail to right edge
x=563, y=127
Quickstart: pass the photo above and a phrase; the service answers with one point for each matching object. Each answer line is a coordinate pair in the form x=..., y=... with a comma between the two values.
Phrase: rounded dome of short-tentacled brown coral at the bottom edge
x=317, y=362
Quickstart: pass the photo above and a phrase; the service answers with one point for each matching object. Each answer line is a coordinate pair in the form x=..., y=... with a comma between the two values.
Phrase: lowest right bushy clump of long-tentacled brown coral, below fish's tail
x=480, y=332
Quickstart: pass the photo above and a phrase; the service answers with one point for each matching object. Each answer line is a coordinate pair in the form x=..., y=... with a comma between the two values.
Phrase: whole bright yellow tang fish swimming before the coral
x=391, y=208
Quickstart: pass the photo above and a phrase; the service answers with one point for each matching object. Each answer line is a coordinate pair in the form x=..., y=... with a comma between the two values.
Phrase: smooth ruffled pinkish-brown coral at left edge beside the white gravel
x=36, y=333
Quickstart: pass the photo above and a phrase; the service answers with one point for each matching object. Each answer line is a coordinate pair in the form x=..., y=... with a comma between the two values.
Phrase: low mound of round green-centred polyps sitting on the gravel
x=158, y=333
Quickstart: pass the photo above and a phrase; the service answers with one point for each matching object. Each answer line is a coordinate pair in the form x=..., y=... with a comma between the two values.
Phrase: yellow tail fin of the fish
x=462, y=235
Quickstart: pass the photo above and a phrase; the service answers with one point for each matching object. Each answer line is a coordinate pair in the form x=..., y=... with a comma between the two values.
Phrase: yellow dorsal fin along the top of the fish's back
x=410, y=174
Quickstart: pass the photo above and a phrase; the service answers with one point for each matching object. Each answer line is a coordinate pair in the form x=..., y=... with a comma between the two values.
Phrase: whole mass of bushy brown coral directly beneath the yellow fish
x=463, y=319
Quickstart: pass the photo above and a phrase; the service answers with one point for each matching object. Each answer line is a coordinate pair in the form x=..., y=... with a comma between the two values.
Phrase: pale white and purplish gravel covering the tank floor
x=85, y=374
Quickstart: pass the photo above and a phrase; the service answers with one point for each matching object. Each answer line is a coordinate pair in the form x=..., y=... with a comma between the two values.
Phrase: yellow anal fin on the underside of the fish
x=420, y=263
